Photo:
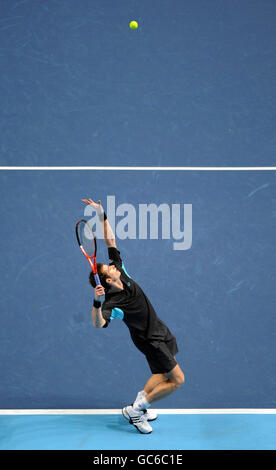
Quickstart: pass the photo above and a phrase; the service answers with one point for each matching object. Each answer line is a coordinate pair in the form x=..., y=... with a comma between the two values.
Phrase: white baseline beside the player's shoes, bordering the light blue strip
x=180, y=411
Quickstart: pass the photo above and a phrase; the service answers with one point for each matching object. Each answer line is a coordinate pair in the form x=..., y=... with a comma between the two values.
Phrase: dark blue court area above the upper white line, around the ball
x=194, y=85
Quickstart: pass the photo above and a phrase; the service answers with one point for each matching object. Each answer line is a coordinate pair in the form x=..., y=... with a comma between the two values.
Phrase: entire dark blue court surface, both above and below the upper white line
x=192, y=86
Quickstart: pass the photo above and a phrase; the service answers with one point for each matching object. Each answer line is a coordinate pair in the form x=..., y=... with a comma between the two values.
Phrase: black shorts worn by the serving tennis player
x=159, y=354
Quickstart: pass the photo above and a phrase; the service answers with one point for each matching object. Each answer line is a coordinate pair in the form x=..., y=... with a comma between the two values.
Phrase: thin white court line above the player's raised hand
x=138, y=168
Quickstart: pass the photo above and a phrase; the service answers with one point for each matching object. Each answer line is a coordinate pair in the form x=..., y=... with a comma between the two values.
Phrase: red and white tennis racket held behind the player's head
x=88, y=244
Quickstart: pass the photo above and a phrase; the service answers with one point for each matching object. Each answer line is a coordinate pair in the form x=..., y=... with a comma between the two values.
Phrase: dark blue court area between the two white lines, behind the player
x=218, y=298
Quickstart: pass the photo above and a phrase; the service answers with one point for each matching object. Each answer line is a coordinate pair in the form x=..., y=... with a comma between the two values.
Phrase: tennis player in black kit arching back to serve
x=125, y=299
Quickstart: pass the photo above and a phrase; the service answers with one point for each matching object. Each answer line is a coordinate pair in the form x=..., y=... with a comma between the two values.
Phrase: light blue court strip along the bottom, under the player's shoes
x=109, y=432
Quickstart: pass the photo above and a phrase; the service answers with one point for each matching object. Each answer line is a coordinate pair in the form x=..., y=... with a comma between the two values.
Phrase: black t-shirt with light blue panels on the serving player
x=133, y=307
